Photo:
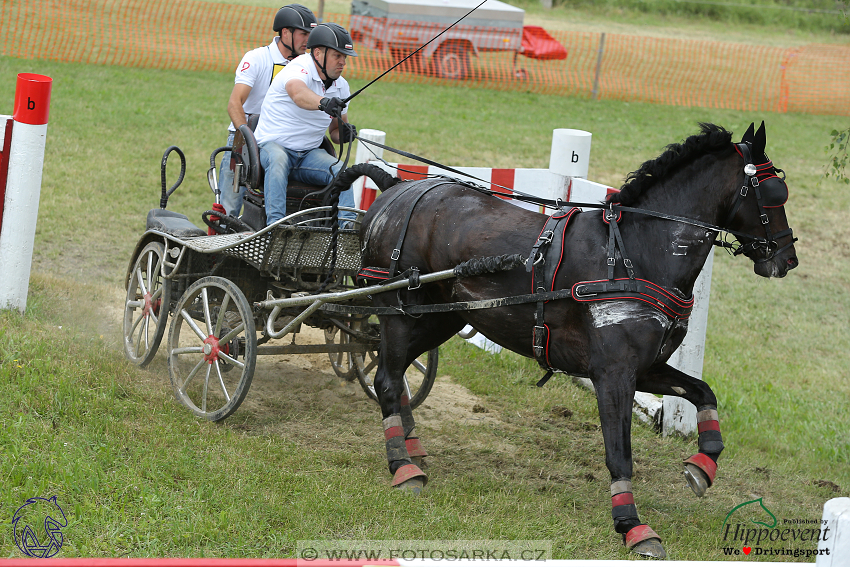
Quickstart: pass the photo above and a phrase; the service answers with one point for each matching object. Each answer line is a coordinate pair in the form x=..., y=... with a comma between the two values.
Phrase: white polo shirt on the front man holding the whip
x=283, y=121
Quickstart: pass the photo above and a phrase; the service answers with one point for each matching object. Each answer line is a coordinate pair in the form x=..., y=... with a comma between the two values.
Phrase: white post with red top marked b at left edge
x=23, y=187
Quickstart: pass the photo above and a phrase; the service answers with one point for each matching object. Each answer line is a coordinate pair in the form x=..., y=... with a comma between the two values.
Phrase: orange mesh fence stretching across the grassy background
x=195, y=35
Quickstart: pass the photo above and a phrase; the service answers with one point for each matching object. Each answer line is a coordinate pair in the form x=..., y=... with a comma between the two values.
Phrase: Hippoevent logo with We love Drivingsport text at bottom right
x=752, y=529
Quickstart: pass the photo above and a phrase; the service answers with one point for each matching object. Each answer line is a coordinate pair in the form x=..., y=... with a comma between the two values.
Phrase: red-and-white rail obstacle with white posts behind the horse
x=566, y=179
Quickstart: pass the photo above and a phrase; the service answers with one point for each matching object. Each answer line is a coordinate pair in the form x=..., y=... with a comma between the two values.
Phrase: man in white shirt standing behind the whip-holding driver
x=255, y=73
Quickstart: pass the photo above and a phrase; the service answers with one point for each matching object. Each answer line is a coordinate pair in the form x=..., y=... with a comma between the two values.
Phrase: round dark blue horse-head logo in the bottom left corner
x=37, y=528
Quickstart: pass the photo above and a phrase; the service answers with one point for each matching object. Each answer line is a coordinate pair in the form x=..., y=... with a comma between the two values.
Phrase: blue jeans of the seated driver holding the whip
x=313, y=167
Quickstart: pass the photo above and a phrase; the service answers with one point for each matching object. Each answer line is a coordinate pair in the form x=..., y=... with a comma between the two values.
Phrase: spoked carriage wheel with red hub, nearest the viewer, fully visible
x=212, y=331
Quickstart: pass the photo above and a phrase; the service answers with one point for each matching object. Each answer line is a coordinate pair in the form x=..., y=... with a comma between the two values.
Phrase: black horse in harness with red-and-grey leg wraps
x=629, y=269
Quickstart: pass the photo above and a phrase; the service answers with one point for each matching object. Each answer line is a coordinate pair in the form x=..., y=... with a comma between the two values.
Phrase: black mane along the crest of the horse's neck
x=711, y=139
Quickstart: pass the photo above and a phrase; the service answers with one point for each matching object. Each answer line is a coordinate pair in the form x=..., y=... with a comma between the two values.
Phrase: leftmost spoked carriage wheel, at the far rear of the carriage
x=146, y=306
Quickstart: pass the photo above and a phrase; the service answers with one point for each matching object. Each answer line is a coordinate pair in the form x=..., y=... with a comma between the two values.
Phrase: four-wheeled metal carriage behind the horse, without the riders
x=219, y=288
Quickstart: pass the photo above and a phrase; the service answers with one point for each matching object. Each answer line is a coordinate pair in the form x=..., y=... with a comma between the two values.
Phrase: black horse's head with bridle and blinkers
x=758, y=208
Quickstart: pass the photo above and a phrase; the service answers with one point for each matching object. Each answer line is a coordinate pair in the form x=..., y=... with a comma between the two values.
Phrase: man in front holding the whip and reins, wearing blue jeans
x=297, y=111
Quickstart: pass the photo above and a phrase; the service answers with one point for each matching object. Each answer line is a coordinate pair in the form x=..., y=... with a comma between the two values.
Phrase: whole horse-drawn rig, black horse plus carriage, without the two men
x=552, y=303
